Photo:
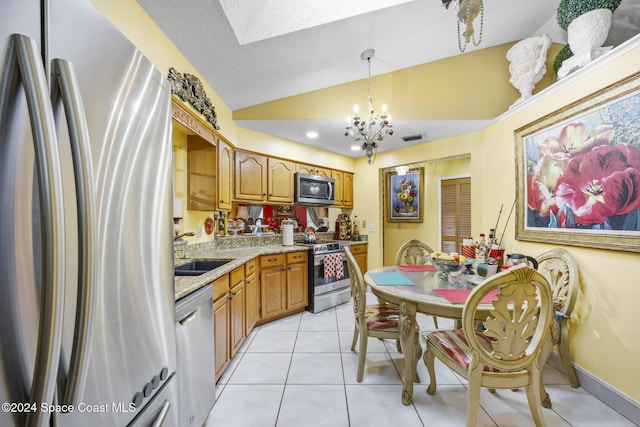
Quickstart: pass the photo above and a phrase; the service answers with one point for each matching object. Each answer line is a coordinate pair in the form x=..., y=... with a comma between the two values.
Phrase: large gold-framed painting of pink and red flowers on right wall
x=578, y=172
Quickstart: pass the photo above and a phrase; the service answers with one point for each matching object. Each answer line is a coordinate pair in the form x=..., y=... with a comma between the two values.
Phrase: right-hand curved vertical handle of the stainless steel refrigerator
x=65, y=86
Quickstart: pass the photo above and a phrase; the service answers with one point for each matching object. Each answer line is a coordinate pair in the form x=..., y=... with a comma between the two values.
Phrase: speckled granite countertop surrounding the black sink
x=184, y=285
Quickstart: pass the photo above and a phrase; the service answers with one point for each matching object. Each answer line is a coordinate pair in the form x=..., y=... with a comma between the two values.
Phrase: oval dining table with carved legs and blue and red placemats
x=421, y=289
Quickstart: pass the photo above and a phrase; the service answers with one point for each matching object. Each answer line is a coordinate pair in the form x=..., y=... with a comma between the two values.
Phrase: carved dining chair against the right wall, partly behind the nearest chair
x=561, y=271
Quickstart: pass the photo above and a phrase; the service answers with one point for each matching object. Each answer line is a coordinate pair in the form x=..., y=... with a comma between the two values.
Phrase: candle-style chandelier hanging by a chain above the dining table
x=369, y=131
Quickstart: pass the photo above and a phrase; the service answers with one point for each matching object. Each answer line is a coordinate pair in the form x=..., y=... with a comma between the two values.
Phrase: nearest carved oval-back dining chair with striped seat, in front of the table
x=505, y=352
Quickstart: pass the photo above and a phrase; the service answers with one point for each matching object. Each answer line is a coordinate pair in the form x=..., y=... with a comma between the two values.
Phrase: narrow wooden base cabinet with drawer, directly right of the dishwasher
x=221, y=313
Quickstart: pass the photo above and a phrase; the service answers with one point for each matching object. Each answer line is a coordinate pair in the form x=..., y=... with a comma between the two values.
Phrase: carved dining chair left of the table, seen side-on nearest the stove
x=376, y=320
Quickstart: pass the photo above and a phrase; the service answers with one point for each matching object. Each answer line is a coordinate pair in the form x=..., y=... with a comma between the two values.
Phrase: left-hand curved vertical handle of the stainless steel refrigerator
x=23, y=61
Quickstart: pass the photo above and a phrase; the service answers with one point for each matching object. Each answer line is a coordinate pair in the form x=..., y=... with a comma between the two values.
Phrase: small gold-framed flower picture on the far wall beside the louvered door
x=404, y=196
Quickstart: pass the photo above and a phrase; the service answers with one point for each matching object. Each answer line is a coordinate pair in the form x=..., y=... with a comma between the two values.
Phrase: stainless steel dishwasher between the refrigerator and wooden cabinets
x=196, y=367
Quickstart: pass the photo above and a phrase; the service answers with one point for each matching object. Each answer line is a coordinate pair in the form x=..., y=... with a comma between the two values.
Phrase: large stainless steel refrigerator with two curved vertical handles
x=87, y=333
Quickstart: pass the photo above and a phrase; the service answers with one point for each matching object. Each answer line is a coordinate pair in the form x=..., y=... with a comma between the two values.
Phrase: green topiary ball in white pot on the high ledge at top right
x=587, y=23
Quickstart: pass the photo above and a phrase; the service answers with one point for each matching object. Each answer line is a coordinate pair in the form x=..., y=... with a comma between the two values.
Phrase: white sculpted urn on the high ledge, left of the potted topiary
x=527, y=64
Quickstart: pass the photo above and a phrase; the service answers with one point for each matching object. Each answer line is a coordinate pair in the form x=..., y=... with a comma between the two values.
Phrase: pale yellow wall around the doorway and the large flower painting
x=606, y=315
